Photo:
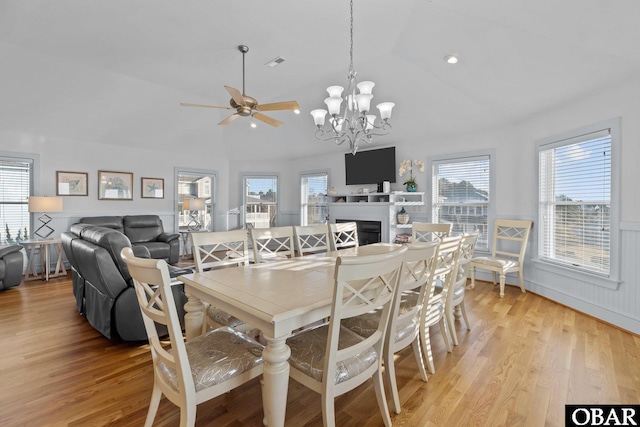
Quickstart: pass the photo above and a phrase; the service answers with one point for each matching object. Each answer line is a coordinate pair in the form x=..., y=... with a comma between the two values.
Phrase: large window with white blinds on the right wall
x=575, y=201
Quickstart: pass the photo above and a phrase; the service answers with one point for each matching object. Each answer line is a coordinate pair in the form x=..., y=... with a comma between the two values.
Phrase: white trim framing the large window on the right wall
x=613, y=281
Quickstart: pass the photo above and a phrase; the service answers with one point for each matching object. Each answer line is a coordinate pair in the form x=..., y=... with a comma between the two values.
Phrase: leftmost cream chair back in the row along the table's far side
x=219, y=248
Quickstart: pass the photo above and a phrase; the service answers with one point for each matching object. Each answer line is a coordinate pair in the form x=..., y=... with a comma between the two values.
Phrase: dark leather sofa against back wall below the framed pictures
x=143, y=230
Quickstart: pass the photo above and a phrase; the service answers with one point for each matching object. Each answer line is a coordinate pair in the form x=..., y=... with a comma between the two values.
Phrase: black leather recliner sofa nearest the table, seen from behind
x=102, y=285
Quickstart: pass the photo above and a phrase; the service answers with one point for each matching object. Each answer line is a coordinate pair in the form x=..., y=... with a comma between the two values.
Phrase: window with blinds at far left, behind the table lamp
x=16, y=182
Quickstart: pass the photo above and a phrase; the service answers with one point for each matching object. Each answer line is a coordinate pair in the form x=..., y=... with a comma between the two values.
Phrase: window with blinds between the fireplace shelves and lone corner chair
x=460, y=194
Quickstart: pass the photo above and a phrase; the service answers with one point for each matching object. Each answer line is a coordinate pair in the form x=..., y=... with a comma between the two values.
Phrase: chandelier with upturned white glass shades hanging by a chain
x=351, y=122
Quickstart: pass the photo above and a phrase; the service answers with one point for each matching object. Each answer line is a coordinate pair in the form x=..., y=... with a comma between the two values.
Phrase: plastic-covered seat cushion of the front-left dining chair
x=217, y=356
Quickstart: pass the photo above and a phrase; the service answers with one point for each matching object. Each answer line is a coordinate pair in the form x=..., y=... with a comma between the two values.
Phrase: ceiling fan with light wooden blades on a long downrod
x=247, y=106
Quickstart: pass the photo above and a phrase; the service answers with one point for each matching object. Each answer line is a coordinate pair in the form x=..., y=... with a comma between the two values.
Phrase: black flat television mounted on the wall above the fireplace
x=371, y=167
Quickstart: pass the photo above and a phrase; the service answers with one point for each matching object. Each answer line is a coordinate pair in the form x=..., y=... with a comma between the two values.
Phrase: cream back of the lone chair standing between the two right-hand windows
x=510, y=238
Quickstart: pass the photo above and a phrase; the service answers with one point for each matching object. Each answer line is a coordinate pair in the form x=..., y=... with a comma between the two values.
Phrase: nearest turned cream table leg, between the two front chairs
x=275, y=379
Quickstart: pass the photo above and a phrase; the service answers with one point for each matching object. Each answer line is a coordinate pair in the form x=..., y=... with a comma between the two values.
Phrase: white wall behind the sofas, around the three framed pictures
x=82, y=156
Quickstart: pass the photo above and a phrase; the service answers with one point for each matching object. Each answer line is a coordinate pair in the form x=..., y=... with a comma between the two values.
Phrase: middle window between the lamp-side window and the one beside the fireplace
x=261, y=201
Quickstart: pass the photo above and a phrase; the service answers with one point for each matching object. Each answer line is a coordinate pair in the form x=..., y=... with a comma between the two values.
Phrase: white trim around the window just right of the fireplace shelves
x=468, y=155
